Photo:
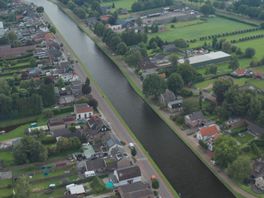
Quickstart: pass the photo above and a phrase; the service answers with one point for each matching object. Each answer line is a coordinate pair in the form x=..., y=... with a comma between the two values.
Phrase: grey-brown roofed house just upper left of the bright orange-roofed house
x=195, y=119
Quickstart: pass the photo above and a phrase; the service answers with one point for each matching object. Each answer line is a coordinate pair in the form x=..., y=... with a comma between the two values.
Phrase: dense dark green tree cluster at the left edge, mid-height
x=25, y=98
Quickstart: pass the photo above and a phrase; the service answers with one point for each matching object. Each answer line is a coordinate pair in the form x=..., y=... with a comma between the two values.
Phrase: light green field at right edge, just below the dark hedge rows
x=257, y=44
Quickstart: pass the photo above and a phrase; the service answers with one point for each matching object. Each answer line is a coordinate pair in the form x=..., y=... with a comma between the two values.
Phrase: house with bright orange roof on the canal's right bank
x=208, y=135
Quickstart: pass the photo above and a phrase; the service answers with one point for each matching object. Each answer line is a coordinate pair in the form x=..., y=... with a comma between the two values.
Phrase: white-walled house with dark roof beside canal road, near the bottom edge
x=127, y=175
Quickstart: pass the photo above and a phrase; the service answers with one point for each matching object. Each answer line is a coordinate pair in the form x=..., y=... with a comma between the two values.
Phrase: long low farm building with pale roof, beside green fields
x=205, y=59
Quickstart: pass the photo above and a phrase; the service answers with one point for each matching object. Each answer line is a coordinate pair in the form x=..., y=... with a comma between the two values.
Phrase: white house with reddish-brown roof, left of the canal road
x=83, y=111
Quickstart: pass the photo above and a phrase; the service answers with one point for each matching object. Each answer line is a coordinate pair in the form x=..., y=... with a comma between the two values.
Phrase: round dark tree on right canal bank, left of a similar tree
x=153, y=85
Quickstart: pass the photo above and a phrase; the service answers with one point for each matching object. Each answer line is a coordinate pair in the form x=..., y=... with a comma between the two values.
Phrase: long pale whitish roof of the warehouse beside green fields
x=206, y=57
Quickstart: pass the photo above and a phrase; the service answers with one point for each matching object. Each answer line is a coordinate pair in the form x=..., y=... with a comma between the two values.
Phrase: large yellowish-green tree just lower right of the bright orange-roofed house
x=226, y=150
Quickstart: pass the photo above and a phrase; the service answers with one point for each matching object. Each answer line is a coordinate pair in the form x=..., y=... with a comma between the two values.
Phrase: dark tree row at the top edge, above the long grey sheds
x=149, y=4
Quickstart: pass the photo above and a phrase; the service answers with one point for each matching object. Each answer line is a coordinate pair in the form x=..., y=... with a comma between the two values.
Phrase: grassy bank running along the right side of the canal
x=120, y=63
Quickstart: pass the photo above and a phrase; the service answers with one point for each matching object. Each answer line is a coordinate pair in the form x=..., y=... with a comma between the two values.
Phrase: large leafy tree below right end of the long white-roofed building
x=220, y=87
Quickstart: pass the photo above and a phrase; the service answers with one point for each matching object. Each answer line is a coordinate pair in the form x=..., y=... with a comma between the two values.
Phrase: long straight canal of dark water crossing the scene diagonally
x=187, y=174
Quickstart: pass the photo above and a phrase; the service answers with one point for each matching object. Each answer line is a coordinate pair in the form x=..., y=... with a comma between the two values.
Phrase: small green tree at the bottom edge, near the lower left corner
x=22, y=187
